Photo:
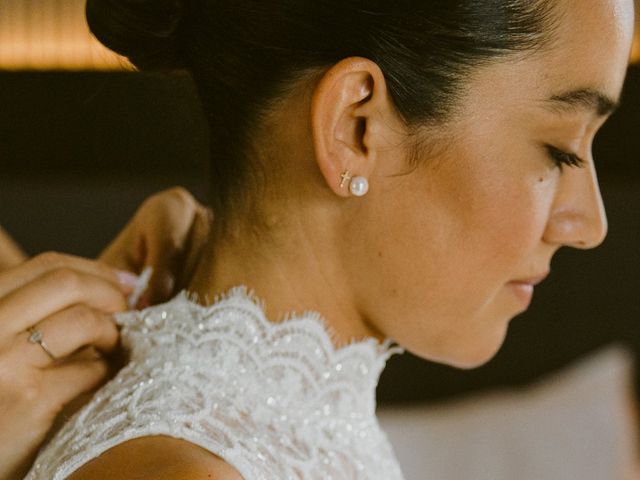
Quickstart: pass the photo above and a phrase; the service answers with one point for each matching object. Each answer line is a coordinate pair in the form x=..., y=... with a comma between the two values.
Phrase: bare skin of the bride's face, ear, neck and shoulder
x=426, y=258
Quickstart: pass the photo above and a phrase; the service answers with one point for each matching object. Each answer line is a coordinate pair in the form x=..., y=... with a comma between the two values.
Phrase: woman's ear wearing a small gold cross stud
x=348, y=111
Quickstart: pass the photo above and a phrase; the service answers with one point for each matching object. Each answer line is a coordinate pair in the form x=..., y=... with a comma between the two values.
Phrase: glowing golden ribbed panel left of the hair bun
x=50, y=35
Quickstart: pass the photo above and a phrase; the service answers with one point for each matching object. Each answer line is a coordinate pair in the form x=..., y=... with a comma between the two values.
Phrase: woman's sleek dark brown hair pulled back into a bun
x=241, y=53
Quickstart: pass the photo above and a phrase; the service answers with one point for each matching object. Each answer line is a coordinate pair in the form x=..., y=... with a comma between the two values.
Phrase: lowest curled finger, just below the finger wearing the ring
x=66, y=382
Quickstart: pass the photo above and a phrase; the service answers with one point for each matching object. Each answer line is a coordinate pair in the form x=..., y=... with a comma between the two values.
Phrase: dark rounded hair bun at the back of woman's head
x=145, y=31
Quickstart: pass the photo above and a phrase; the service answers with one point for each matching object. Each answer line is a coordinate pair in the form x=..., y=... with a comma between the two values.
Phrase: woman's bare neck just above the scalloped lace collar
x=297, y=272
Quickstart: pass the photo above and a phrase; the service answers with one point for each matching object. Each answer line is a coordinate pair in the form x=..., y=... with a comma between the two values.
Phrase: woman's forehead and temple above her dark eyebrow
x=589, y=50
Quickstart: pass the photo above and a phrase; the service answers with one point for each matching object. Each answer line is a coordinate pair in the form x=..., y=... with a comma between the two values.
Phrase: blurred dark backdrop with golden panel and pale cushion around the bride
x=83, y=140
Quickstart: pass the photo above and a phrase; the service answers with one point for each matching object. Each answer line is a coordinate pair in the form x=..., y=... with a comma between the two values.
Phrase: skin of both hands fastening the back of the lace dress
x=71, y=301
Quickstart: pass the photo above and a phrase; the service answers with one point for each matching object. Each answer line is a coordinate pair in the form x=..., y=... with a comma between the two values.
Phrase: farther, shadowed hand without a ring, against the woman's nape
x=168, y=232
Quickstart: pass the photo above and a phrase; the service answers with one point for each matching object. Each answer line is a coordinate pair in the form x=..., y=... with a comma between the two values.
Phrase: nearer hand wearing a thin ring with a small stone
x=70, y=301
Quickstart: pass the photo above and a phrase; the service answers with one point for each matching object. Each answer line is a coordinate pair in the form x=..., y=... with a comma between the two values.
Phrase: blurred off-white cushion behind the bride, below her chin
x=578, y=424
